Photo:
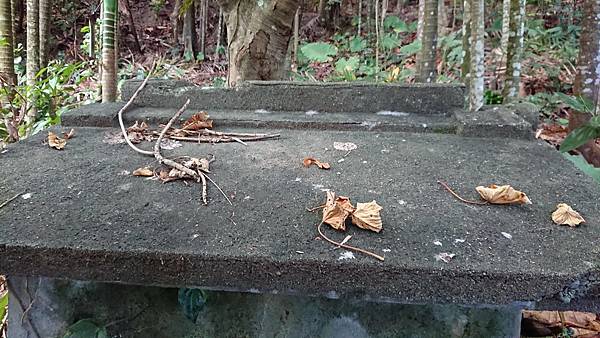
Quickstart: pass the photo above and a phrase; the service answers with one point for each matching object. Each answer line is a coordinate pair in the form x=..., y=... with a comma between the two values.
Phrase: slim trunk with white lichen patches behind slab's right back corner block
x=514, y=50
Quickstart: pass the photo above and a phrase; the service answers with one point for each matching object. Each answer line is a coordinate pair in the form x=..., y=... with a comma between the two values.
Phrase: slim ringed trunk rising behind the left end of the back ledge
x=109, y=51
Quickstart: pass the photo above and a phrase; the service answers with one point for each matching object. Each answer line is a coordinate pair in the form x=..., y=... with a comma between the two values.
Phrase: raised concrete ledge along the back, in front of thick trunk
x=295, y=96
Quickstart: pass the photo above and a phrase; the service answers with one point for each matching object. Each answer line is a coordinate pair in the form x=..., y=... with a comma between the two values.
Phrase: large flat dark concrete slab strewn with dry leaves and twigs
x=86, y=221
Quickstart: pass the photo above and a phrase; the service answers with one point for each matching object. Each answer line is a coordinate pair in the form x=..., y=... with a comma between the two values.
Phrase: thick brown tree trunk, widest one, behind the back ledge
x=258, y=38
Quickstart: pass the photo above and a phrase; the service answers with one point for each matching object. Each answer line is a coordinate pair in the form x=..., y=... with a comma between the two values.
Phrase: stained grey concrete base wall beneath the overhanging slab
x=154, y=312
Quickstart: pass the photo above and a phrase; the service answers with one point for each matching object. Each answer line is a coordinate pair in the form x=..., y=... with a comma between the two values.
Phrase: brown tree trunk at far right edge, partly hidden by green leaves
x=587, y=80
